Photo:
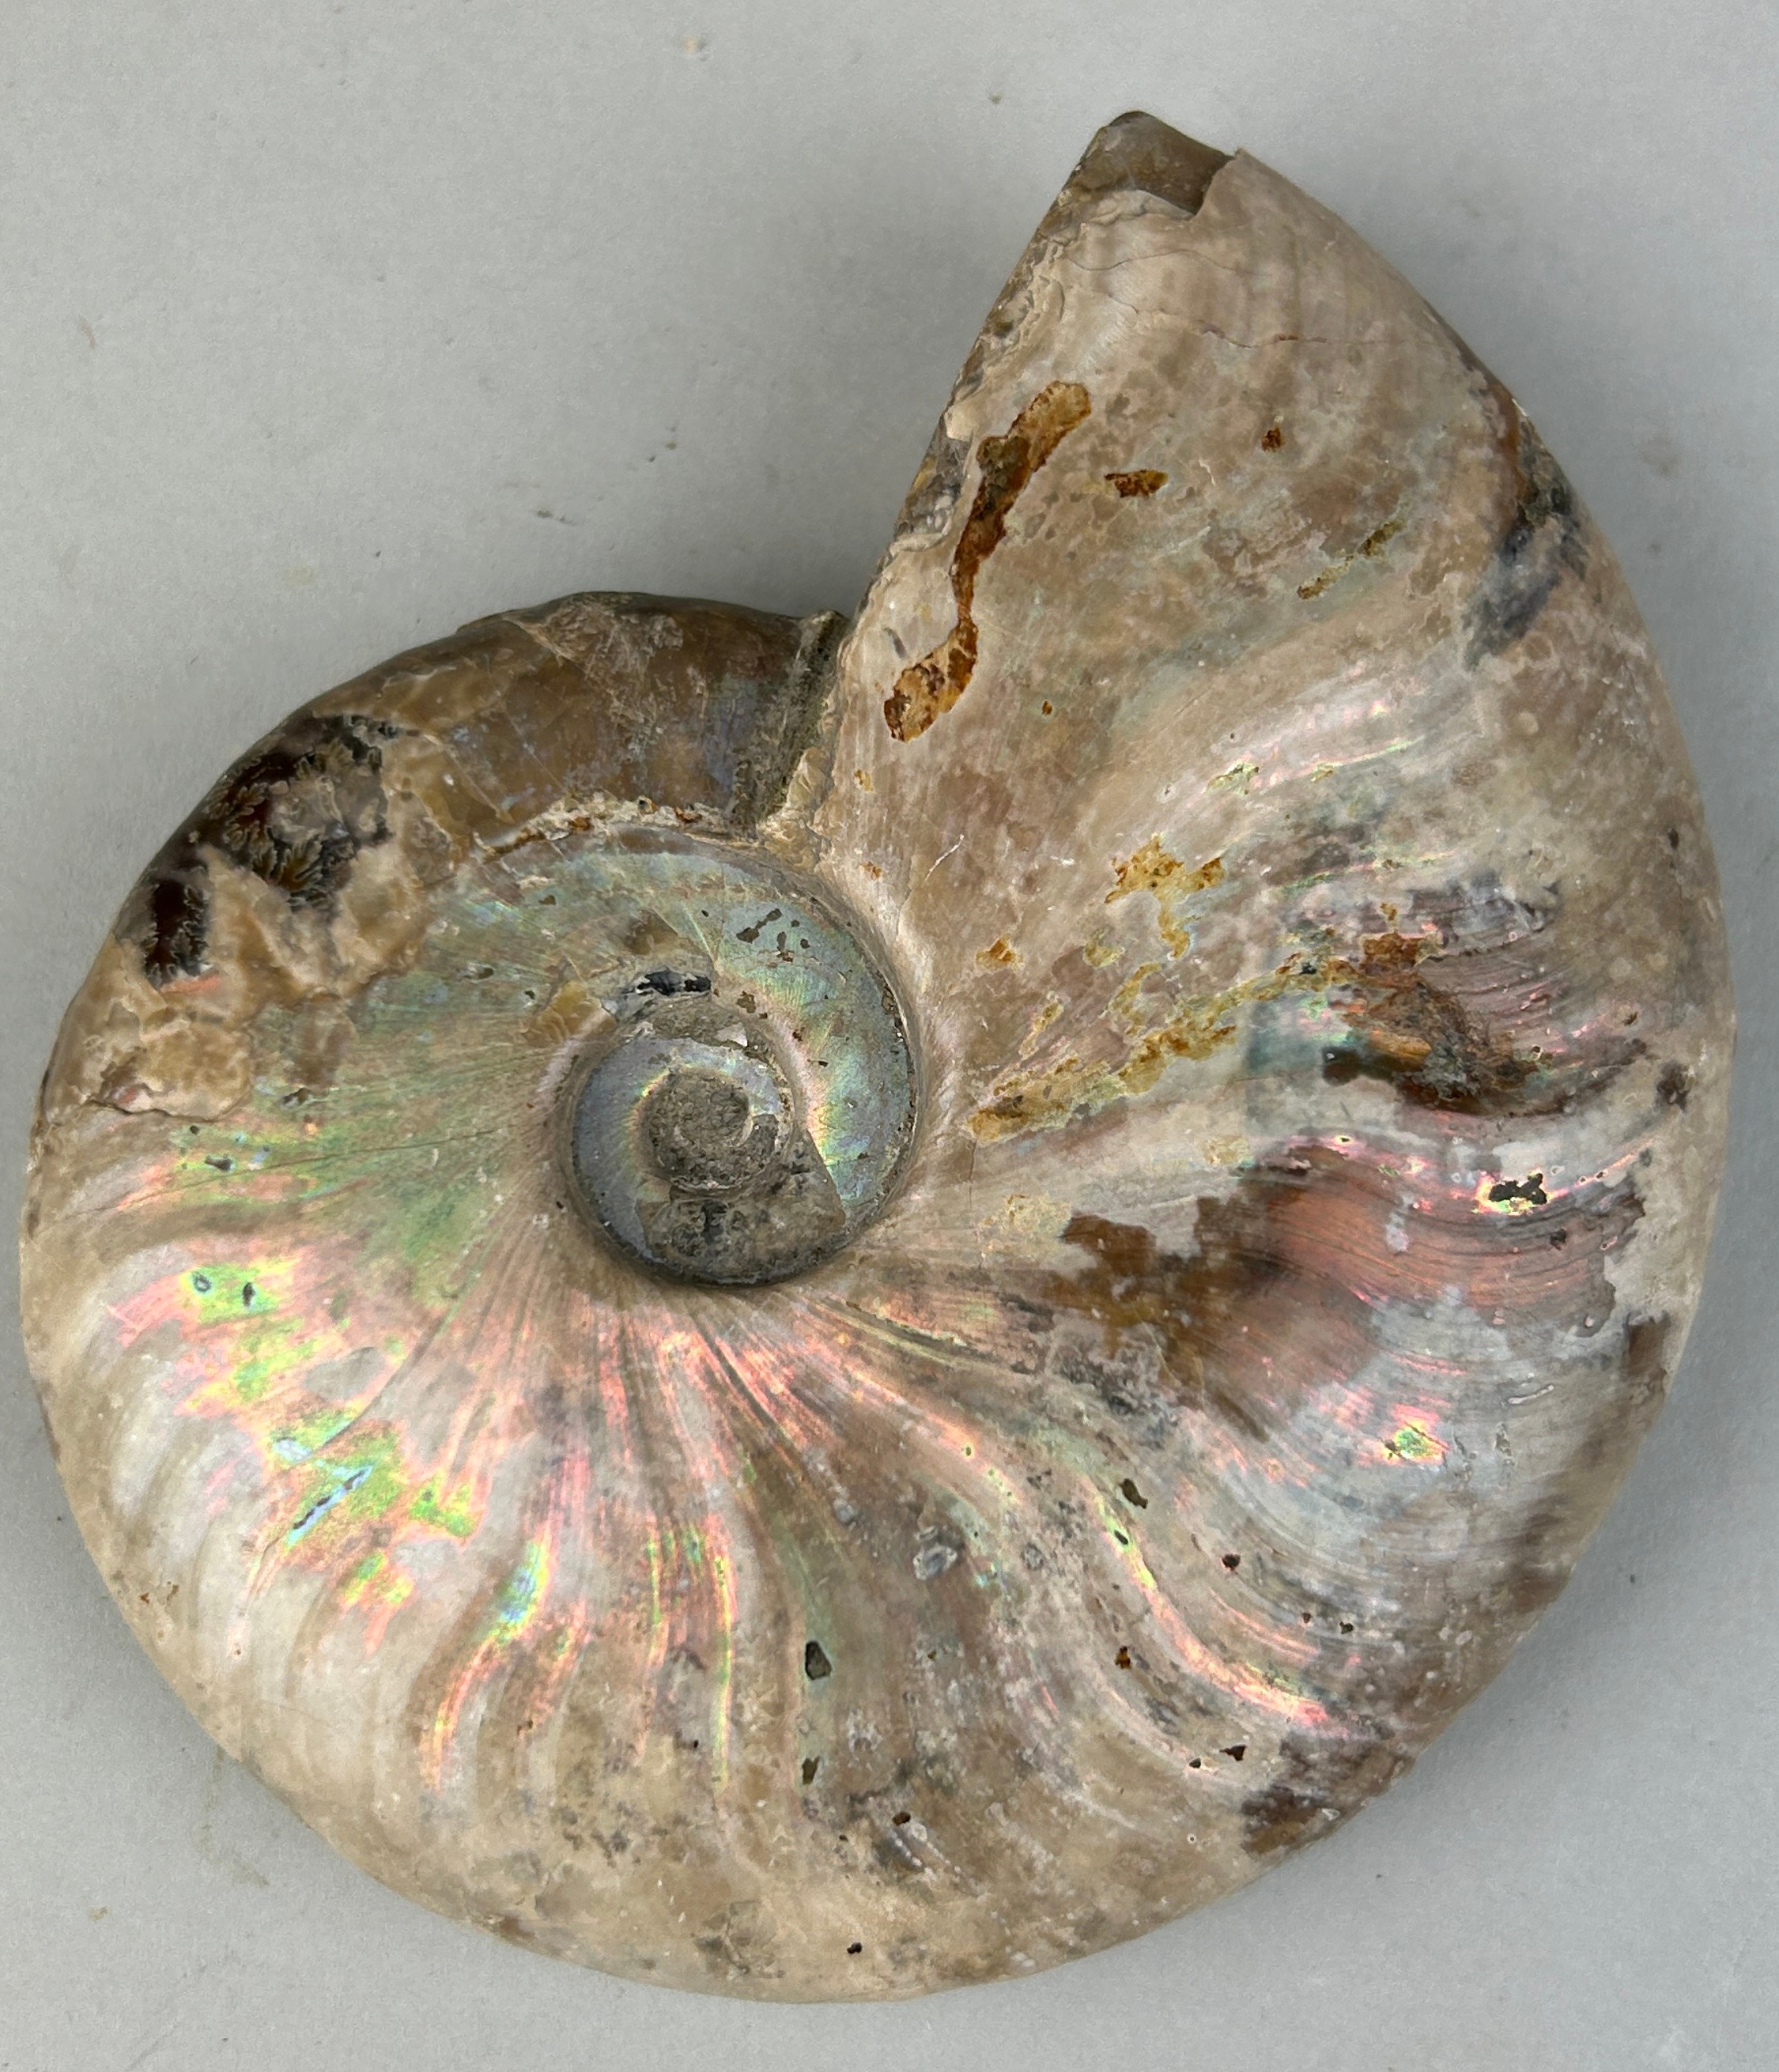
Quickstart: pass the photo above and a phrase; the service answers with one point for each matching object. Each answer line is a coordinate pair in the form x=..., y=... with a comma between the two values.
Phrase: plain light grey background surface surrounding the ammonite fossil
x=331, y=326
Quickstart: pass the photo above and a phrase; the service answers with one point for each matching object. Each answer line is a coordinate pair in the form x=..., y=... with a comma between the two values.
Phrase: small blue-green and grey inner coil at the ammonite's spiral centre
x=752, y=1103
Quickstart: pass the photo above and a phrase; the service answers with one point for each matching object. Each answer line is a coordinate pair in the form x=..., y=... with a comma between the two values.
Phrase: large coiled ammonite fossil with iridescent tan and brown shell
x=826, y=1311
